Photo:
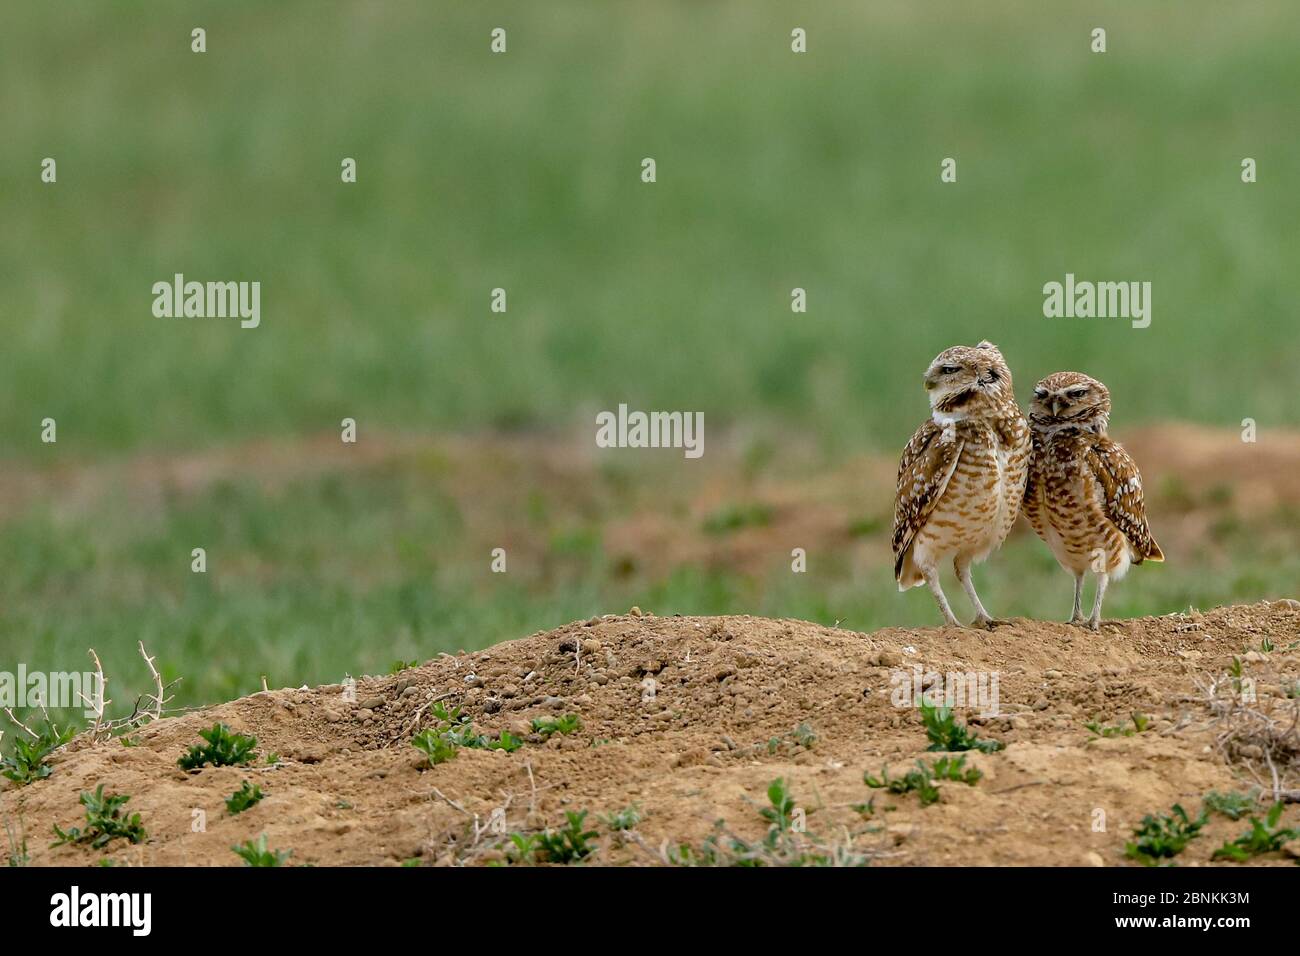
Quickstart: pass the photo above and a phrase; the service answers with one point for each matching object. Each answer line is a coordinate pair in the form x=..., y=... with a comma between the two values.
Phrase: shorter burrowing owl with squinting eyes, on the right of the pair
x=1085, y=492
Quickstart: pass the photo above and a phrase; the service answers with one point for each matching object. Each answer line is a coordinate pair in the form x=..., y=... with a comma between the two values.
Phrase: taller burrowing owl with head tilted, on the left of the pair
x=963, y=475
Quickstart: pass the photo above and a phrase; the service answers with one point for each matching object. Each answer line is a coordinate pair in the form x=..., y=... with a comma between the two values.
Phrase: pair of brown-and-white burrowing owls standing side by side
x=977, y=464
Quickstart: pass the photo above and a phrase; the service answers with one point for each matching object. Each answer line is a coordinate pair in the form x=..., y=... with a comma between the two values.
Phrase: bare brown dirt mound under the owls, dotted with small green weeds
x=691, y=719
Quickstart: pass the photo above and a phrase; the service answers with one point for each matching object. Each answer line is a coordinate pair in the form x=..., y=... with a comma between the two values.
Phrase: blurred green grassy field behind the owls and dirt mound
x=522, y=171
